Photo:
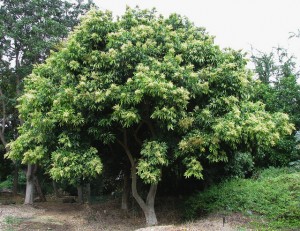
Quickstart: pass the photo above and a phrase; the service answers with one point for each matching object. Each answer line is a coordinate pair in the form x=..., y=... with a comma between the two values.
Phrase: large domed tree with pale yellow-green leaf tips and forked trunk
x=156, y=88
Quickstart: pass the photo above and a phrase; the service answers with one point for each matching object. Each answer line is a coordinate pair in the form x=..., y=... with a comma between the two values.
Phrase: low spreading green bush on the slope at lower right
x=275, y=195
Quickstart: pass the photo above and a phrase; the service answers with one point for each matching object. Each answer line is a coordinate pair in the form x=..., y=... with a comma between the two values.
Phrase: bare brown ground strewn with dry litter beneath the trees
x=55, y=215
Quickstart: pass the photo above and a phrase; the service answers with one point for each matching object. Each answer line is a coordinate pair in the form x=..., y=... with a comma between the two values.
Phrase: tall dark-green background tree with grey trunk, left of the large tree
x=28, y=30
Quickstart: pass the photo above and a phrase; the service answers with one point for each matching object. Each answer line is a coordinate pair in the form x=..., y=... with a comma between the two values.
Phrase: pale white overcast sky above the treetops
x=239, y=24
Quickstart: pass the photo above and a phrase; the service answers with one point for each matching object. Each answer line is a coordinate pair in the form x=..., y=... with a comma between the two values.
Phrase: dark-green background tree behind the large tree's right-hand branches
x=280, y=91
